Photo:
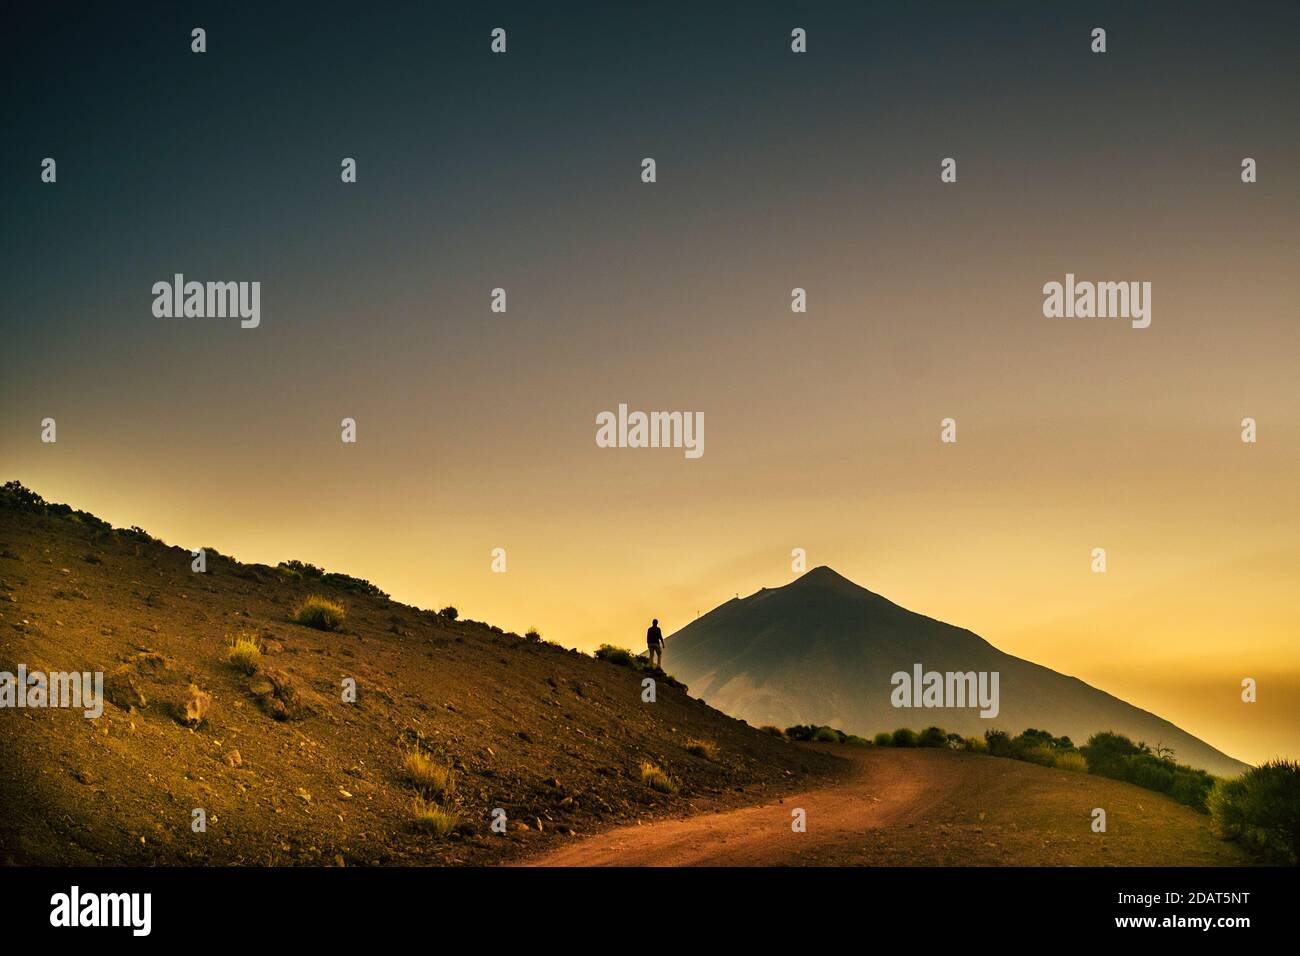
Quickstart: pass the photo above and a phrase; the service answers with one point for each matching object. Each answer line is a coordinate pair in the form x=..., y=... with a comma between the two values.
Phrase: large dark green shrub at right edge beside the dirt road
x=1262, y=811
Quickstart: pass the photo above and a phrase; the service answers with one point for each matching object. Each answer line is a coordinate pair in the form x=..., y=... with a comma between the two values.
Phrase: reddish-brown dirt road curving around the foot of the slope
x=926, y=808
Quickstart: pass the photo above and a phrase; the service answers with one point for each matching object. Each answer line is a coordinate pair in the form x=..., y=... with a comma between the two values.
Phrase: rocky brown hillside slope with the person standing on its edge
x=549, y=736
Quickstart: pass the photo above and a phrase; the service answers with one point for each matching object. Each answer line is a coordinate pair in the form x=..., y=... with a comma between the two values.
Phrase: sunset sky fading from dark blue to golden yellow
x=775, y=171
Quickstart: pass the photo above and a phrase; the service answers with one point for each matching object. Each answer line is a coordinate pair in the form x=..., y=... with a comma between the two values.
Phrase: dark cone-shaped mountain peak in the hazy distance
x=824, y=650
